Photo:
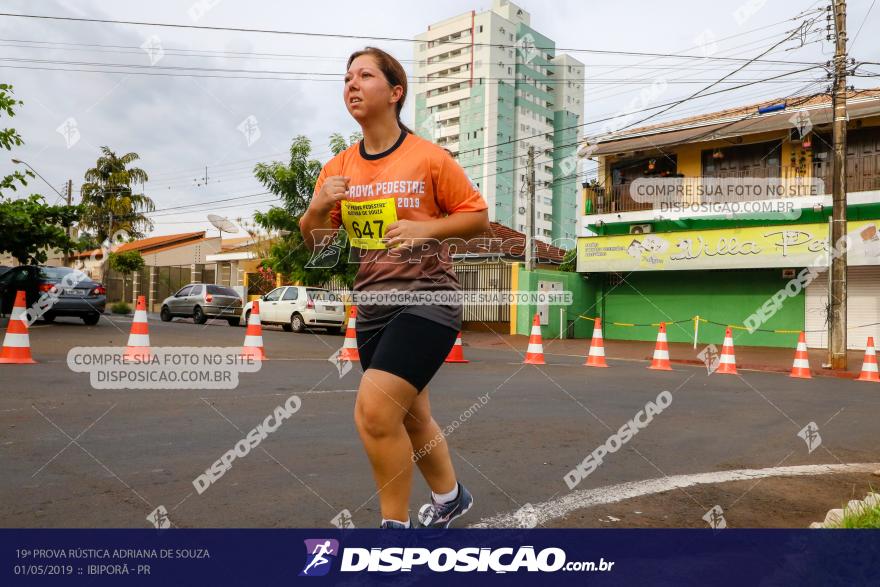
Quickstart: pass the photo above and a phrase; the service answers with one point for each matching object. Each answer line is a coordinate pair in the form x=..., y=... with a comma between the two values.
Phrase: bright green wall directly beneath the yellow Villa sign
x=722, y=296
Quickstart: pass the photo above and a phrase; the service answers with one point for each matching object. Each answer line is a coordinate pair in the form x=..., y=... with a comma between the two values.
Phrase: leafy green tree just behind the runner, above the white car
x=294, y=183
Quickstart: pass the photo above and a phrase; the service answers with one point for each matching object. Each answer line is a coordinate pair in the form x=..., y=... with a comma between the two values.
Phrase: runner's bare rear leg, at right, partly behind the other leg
x=429, y=446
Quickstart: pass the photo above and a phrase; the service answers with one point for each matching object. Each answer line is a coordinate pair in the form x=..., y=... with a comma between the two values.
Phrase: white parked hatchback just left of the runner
x=297, y=307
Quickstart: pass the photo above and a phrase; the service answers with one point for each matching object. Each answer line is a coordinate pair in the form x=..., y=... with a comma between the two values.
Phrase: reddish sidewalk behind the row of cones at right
x=772, y=359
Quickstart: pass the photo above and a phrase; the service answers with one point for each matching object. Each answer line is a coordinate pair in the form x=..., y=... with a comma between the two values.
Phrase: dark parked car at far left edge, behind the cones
x=85, y=299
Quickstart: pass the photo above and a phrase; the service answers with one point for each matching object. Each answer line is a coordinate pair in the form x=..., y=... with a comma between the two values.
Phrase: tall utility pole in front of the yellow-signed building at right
x=837, y=319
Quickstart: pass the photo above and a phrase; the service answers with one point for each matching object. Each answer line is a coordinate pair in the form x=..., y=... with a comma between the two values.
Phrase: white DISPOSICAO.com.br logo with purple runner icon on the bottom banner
x=321, y=552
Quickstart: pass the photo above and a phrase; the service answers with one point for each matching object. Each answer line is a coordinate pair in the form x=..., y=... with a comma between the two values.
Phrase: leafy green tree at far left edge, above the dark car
x=29, y=227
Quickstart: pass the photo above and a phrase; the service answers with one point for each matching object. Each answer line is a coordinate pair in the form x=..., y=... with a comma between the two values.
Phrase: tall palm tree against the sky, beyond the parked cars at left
x=110, y=204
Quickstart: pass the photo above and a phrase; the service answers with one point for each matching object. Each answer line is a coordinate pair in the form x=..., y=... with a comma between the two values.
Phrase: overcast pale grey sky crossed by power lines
x=180, y=124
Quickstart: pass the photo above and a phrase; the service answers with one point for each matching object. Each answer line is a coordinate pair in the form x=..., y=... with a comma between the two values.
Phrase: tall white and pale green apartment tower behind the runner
x=487, y=86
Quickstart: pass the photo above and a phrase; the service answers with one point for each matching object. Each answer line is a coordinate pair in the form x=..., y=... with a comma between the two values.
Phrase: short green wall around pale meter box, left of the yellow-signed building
x=584, y=296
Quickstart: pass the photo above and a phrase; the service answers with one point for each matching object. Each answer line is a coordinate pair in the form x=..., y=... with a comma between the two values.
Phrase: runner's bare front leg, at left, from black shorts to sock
x=383, y=401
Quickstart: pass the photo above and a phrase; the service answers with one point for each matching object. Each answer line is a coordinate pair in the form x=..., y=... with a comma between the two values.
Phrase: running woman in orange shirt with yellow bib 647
x=399, y=198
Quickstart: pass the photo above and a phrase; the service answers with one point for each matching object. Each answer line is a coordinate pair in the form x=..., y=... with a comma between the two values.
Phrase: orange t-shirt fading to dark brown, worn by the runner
x=420, y=181
